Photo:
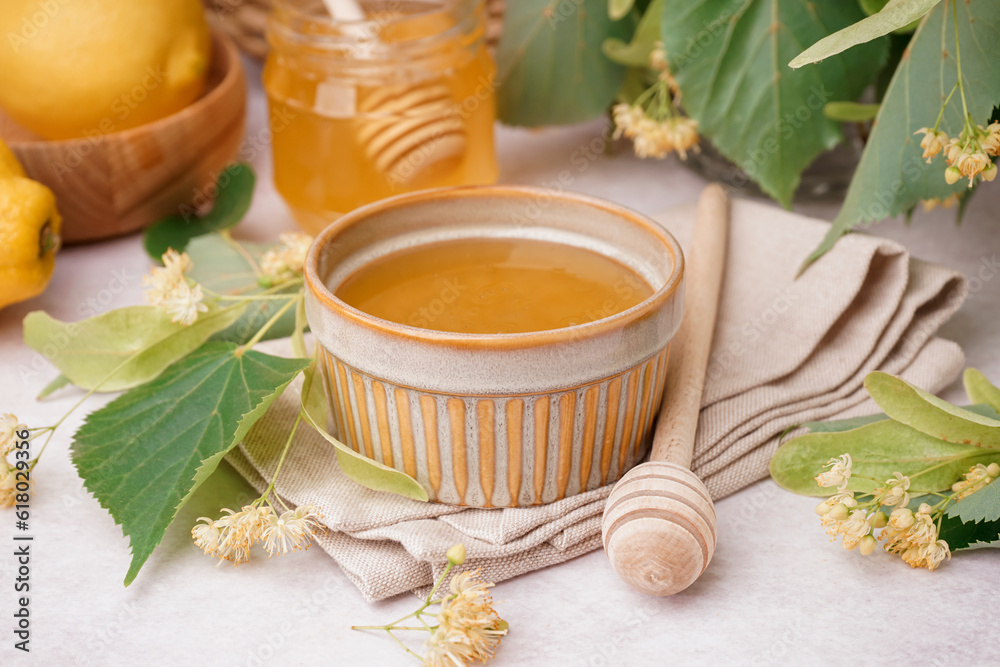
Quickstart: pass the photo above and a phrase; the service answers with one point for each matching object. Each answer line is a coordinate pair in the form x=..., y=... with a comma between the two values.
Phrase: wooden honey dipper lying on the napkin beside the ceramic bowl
x=659, y=526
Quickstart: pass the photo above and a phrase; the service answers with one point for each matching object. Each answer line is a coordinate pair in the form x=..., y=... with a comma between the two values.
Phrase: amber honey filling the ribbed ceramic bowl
x=494, y=286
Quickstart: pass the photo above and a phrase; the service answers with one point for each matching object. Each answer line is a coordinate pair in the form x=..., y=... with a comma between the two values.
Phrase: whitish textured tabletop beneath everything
x=776, y=593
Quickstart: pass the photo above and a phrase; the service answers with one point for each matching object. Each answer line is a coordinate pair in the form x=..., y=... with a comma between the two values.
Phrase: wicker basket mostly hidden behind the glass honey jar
x=245, y=21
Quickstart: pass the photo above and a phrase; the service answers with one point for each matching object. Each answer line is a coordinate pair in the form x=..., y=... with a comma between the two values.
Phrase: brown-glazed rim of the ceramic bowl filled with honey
x=502, y=341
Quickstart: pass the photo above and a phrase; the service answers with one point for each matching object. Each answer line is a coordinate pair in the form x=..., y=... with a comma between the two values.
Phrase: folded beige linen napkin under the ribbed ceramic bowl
x=785, y=351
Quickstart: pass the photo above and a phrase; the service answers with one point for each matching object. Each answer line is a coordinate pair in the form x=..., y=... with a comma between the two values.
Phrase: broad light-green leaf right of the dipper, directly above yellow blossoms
x=877, y=450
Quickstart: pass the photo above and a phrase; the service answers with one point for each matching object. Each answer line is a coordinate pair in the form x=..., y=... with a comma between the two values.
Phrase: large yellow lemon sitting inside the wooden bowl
x=73, y=68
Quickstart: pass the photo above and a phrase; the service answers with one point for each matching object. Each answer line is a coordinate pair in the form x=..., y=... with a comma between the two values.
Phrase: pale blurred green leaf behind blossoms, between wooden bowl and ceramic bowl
x=222, y=269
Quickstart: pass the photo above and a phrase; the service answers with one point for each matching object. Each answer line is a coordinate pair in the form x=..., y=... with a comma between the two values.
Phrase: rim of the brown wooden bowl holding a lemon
x=234, y=72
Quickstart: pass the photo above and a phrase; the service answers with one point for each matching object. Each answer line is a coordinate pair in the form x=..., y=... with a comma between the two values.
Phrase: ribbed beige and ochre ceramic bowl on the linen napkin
x=496, y=420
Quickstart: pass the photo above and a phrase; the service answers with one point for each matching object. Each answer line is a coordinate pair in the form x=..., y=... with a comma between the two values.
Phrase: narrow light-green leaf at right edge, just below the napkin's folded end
x=931, y=415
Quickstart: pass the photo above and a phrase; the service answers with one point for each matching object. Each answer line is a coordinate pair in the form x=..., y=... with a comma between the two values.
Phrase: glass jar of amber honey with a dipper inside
x=362, y=110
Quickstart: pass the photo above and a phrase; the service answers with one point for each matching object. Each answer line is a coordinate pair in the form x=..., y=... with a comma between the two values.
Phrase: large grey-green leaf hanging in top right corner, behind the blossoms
x=892, y=177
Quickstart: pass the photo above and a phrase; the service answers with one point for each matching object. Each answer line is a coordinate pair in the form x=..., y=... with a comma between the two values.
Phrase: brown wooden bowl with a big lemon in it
x=115, y=183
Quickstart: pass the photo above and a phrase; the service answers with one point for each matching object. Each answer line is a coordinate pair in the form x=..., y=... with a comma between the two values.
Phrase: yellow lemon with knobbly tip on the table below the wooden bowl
x=29, y=238
